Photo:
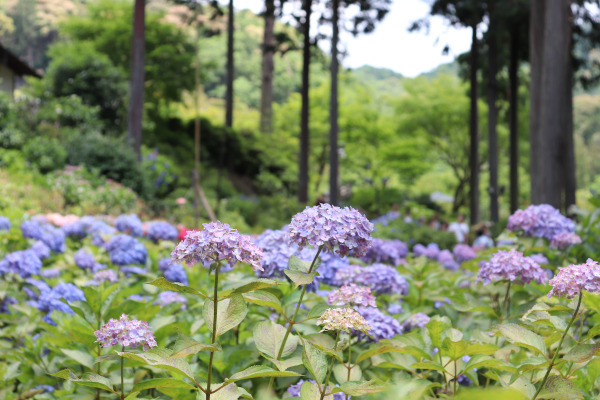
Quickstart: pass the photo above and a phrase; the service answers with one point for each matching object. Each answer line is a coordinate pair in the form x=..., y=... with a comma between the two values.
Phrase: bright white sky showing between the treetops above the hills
x=392, y=46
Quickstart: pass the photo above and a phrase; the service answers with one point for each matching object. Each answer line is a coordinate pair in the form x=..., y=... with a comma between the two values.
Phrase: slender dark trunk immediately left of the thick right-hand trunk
x=513, y=118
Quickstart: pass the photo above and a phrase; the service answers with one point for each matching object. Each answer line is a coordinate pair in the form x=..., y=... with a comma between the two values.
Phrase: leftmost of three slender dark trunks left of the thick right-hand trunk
x=474, y=131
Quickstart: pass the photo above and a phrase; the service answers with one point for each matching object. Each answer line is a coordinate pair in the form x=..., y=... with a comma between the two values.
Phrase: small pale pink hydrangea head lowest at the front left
x=125, y=332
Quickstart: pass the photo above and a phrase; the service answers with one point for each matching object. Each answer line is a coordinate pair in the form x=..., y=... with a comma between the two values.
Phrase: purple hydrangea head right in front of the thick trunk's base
x=540, y=221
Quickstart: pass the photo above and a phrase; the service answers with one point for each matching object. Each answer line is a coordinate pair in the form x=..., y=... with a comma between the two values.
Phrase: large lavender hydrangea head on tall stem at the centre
x=344, y=229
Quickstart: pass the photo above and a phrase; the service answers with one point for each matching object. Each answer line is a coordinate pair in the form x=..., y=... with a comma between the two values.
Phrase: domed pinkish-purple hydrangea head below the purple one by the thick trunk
x=511, y=265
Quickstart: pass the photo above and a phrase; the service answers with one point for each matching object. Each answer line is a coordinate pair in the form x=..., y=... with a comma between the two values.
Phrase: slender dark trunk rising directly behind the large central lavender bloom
x=333, y=110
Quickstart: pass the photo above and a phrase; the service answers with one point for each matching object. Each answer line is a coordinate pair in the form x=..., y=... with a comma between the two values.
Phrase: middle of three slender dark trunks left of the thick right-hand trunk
x=492, y=121
